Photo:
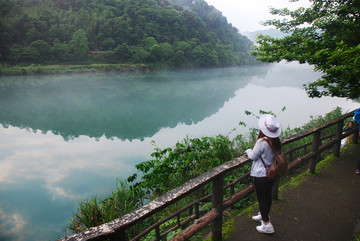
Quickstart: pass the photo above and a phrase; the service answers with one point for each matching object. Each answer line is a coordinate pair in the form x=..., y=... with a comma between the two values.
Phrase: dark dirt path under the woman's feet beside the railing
x=325, y=206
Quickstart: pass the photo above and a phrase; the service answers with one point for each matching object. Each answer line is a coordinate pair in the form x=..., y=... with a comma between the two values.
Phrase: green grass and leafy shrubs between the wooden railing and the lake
x=172, y=167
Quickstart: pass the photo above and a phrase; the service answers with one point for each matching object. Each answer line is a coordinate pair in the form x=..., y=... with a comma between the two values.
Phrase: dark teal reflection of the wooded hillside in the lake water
x=124, y=105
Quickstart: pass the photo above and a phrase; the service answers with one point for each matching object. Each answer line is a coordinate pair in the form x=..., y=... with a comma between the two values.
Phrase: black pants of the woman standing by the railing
x=263, y=188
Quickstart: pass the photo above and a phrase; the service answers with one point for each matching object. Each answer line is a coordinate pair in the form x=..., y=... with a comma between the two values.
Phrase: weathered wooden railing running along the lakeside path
x=116, y=230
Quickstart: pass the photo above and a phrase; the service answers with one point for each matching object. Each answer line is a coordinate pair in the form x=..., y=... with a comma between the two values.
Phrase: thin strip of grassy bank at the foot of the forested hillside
x=71, y=68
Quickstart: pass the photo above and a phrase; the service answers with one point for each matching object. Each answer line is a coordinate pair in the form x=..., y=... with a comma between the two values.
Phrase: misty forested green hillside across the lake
x=175, y=33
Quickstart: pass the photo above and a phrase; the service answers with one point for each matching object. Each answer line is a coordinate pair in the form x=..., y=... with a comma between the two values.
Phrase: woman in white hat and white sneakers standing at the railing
x=267, y=143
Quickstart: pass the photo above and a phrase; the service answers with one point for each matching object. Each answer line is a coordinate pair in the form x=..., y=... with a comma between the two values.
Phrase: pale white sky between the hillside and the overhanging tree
x=246, y=15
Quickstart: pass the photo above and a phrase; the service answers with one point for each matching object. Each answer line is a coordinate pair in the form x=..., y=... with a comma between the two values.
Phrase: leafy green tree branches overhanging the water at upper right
x=330, y=40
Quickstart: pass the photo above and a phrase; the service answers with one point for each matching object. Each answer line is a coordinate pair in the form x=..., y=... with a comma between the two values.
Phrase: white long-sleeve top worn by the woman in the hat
x=261, y=148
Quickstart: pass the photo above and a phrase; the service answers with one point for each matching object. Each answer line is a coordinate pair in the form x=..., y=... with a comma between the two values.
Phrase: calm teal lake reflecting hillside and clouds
x=66, y=138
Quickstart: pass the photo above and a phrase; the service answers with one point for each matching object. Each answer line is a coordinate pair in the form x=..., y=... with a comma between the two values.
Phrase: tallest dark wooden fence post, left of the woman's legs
x=217, y=200
